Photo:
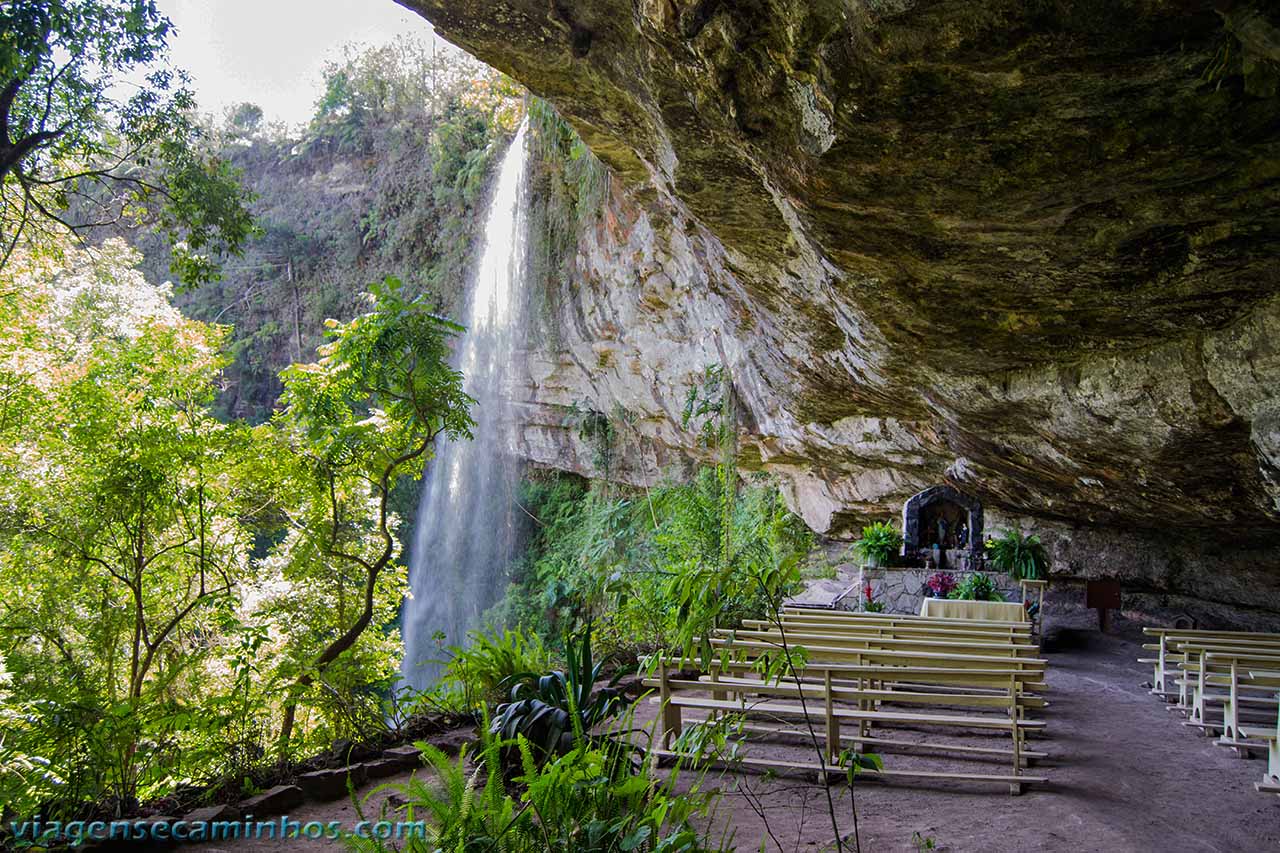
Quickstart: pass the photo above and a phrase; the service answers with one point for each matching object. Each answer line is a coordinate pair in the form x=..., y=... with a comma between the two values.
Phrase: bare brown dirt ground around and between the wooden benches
x=1124, y=776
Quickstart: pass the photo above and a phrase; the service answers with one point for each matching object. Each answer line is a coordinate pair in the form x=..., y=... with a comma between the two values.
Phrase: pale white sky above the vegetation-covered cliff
x=272, y=52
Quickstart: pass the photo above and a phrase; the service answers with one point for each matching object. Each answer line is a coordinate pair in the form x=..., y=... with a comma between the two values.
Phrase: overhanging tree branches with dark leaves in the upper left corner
x=68, y=139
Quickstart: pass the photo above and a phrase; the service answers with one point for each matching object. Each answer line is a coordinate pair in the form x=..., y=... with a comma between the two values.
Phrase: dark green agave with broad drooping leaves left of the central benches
x=556, y=710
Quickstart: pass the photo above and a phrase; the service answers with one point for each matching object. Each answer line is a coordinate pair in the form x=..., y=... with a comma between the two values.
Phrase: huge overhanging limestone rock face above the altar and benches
x=1027, y=249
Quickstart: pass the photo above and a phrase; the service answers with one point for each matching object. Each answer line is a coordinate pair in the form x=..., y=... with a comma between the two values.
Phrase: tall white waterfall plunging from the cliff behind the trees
x=467, y=526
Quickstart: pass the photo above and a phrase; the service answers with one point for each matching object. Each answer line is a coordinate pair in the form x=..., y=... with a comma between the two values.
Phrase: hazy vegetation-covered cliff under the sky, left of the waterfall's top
x=387, y=180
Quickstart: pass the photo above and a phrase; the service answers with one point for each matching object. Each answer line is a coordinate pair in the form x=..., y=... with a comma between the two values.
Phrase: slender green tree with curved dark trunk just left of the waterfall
x=360, y=418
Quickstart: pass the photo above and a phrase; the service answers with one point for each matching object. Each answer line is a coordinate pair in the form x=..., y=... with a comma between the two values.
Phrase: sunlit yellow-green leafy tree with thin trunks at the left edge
x=124, y=545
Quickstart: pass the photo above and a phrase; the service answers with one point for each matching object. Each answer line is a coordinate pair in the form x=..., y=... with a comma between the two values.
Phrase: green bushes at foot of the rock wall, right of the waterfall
x=625, y=559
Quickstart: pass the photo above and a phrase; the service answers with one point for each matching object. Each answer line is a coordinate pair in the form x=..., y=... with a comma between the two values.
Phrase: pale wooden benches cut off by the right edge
x=1223, y=682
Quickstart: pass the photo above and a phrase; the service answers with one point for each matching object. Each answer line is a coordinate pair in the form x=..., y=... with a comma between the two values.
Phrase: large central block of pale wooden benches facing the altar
x=853, y=676
